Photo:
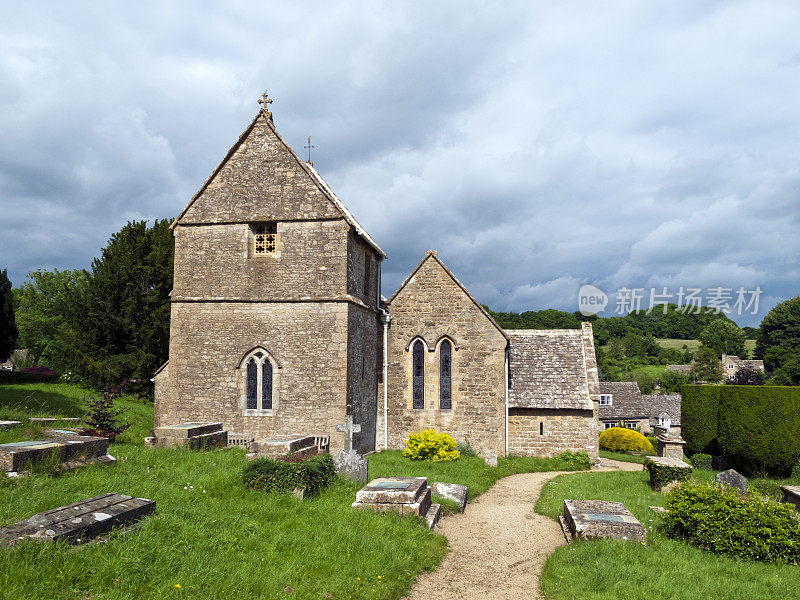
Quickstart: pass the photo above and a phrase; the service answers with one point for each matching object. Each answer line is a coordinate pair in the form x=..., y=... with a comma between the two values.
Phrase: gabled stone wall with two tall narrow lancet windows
x=432, y=305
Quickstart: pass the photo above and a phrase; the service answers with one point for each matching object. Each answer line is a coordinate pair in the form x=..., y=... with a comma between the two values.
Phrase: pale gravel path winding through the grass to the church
x=499, y=545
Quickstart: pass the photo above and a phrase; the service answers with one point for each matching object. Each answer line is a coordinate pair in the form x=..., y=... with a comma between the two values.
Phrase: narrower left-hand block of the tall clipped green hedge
x=699, y=414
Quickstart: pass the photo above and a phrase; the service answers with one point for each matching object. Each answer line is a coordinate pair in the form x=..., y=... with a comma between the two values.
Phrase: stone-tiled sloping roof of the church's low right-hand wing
x=548, y=369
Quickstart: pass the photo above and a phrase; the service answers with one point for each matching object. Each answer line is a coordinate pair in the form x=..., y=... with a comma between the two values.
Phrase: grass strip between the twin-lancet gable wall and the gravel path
x=467, y=470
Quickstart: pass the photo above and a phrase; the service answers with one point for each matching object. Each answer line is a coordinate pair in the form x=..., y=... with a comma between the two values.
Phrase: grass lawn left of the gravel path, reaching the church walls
x=212, y=538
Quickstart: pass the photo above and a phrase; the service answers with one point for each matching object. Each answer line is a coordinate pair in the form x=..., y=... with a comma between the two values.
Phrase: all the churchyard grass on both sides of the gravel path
x=212, y=537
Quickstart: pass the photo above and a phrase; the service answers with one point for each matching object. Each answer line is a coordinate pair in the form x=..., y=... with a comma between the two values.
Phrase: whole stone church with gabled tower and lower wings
x=278, y=327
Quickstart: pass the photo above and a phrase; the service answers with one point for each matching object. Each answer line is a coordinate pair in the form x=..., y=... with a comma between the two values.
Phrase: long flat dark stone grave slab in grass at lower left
x=81, y=521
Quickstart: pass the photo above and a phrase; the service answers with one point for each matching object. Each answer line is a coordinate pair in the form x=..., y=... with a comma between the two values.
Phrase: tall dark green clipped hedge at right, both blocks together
x=753, y=427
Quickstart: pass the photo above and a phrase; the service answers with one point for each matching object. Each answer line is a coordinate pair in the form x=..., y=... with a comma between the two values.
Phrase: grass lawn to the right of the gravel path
x=613, y=570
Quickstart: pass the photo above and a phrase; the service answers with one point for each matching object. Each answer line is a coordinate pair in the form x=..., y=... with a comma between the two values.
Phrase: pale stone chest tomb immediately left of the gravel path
x=406, y=495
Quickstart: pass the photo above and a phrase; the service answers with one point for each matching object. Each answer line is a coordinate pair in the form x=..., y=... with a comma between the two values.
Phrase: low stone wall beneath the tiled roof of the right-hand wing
x=548, y=432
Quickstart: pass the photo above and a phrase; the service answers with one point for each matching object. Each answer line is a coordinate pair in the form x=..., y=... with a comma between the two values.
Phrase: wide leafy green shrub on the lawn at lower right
x=718, y=520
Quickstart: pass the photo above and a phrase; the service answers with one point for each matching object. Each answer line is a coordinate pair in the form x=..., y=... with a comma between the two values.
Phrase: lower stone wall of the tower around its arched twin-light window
x=308, y=344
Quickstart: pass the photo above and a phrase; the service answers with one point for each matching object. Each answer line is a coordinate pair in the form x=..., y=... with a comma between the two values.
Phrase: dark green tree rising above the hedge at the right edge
x=778, y=342
